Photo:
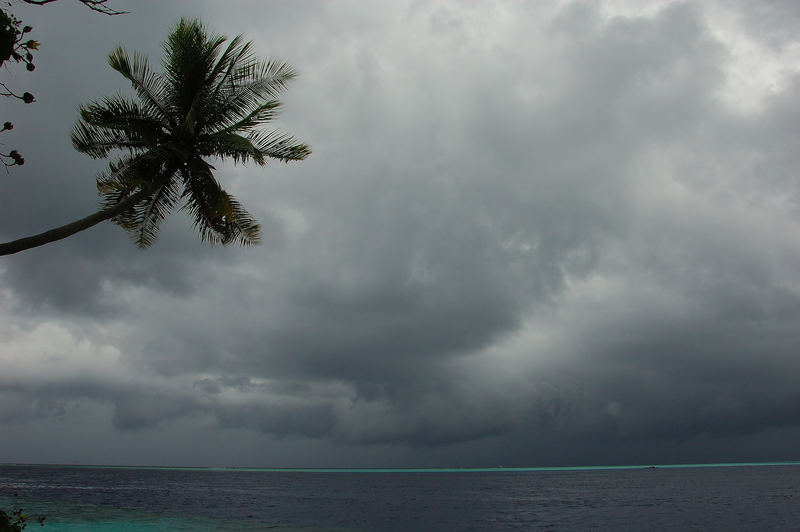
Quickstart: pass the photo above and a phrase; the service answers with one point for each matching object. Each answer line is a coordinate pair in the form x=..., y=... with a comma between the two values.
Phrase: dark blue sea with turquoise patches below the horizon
x=699, y=497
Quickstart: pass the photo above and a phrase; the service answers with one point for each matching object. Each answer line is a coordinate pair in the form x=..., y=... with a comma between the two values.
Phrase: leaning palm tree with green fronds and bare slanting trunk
x=209, y=102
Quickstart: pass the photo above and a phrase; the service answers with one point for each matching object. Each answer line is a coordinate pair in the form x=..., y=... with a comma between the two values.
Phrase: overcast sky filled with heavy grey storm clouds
x=530, y=233
